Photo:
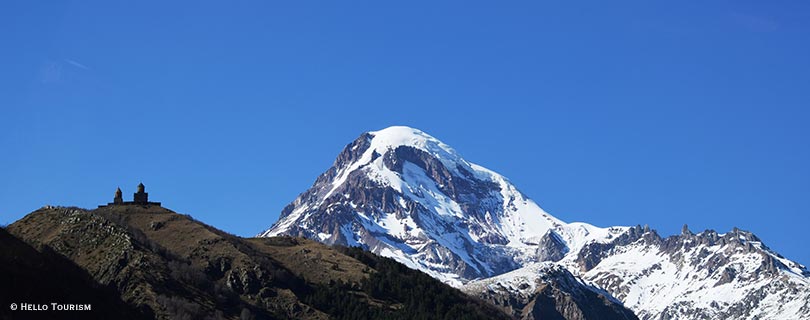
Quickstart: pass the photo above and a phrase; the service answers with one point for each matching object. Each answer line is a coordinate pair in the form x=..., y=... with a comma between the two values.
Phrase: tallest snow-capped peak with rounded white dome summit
x=404, y=194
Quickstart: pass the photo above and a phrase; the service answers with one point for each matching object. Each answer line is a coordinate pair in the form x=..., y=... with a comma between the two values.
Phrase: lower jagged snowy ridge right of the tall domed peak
x=698, y=276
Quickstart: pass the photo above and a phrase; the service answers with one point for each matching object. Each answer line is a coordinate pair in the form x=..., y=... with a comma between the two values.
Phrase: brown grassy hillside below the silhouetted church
x=173, y=267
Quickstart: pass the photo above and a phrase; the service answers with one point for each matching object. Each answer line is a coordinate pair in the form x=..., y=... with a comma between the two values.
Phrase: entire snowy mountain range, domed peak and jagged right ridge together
x=403, y=194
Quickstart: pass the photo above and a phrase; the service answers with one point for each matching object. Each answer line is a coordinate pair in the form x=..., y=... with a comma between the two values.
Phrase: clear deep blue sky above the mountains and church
x=613, y=113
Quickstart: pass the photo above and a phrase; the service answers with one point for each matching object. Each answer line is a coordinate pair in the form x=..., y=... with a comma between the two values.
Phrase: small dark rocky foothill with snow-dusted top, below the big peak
x=547, y=291
